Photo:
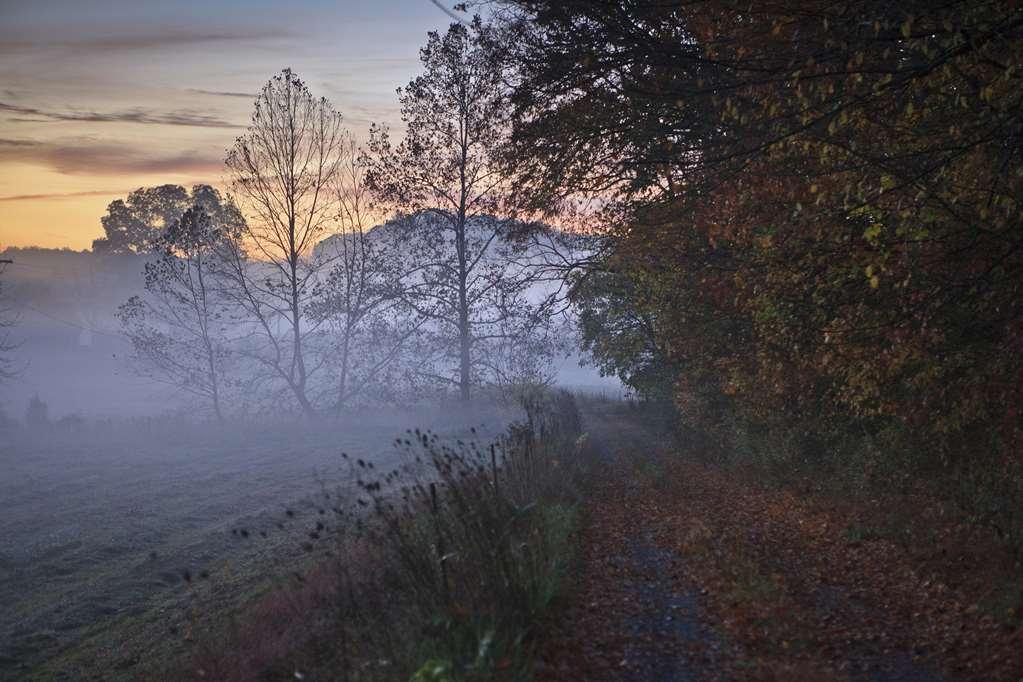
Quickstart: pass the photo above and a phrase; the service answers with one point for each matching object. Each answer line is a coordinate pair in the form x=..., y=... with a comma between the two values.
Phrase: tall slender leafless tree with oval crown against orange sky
x=284, y=170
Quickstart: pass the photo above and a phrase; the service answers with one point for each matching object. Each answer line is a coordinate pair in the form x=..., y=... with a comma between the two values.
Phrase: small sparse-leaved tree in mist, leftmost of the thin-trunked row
x=175, y=328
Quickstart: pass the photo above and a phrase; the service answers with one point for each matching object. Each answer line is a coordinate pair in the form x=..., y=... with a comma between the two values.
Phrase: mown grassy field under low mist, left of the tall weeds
x=100, y=528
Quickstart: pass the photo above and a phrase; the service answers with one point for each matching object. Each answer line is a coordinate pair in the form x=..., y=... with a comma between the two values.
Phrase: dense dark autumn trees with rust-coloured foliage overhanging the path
x=815, y=210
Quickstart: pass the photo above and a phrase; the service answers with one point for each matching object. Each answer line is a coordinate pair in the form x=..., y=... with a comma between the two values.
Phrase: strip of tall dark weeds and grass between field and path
x=439, y=570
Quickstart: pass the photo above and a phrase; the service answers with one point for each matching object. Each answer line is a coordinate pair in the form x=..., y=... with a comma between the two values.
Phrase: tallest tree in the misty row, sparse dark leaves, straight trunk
x=450, y=175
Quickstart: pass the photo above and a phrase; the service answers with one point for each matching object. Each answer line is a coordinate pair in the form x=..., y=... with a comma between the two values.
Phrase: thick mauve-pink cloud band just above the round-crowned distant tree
x=86, y=157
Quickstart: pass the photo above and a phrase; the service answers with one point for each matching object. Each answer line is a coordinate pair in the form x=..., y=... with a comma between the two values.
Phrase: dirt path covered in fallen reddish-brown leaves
x=690, y=574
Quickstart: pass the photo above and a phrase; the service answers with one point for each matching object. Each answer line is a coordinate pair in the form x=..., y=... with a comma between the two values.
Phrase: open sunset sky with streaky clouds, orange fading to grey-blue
x=100, y=98
